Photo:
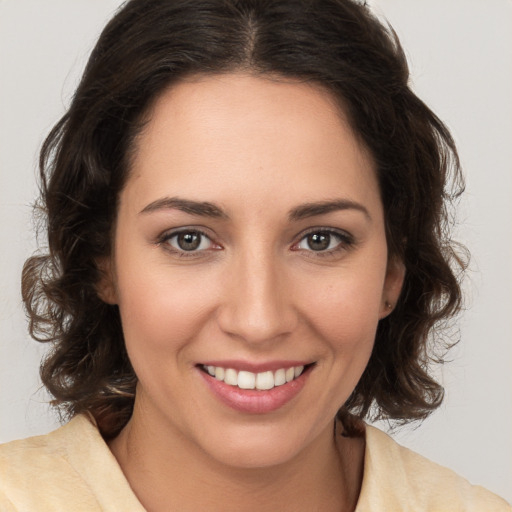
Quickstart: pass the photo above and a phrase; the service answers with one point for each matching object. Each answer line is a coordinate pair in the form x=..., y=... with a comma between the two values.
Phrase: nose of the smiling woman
x=257, y=305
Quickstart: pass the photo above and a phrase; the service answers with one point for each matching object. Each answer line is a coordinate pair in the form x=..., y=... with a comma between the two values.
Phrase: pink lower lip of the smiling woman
x=255, y=401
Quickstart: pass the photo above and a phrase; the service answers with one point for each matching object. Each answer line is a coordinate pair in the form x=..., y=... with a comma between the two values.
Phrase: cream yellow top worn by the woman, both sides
x=72, y=469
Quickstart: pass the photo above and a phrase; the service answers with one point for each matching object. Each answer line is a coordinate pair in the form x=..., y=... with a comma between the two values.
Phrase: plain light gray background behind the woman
x=460, y=53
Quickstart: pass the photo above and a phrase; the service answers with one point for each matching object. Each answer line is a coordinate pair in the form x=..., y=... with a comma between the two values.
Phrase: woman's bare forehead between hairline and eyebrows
x=249, y=136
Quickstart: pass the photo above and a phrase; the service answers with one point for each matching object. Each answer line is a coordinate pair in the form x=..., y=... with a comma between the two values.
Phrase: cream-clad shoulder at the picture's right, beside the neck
x=396, y=478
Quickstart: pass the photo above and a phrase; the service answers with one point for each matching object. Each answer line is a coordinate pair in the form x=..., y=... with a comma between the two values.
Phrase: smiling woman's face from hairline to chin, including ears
x=250, y=245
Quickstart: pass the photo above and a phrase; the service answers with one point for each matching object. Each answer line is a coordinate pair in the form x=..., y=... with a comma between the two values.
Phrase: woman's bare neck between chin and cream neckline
x=168, y=472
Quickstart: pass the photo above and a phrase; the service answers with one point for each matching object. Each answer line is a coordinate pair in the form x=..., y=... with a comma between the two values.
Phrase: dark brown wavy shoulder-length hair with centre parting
x=85, y=161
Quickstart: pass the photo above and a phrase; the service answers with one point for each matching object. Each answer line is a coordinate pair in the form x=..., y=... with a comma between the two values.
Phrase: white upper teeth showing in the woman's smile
x=249, y=380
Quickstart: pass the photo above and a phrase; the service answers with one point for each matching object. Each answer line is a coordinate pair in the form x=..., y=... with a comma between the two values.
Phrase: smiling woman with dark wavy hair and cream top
x=247, y=254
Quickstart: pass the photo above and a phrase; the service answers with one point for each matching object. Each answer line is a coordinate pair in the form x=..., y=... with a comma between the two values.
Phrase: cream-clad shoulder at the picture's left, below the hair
x=68, y=469
